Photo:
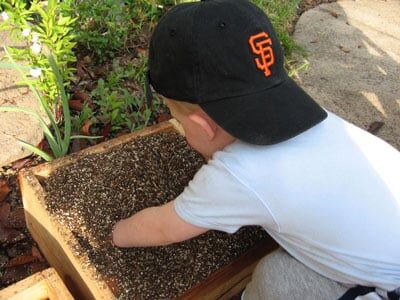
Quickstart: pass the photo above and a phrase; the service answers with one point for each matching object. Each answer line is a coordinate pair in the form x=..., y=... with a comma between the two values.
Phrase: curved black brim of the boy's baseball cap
x=268, y=117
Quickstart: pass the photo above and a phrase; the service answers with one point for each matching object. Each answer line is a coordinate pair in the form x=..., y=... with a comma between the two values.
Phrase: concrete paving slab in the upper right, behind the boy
x=354, y=61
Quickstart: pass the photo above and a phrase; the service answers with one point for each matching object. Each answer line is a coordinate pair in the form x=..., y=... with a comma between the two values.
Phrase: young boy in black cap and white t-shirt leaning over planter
x=326, y=191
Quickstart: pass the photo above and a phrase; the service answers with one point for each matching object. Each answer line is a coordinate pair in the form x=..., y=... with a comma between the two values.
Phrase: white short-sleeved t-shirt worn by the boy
x=329, y=196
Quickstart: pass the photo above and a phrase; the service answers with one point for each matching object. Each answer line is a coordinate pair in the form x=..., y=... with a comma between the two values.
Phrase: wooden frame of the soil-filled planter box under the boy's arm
x=51, y=237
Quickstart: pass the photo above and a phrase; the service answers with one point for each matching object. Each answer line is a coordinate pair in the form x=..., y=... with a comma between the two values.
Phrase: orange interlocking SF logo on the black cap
x=260, y=44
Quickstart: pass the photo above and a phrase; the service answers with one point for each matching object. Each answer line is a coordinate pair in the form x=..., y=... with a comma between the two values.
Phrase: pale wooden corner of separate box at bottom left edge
x=42, y=285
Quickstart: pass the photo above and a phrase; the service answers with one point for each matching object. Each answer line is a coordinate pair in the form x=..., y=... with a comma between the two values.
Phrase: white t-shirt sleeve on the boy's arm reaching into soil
x=216, y=199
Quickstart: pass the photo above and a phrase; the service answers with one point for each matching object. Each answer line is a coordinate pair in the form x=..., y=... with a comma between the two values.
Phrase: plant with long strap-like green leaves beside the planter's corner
x=59, y=140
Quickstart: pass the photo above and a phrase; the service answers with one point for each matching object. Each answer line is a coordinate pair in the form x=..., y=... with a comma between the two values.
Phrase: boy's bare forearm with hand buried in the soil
x=154, y=226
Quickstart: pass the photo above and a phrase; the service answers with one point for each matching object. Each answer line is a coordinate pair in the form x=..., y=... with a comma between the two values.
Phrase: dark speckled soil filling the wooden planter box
x=91, y=195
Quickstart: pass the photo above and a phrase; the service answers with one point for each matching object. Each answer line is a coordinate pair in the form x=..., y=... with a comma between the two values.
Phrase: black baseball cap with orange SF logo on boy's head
x=224, y=55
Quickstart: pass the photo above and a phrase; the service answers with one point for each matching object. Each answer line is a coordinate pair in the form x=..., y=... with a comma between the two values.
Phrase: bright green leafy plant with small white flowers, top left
x=47, y=26
